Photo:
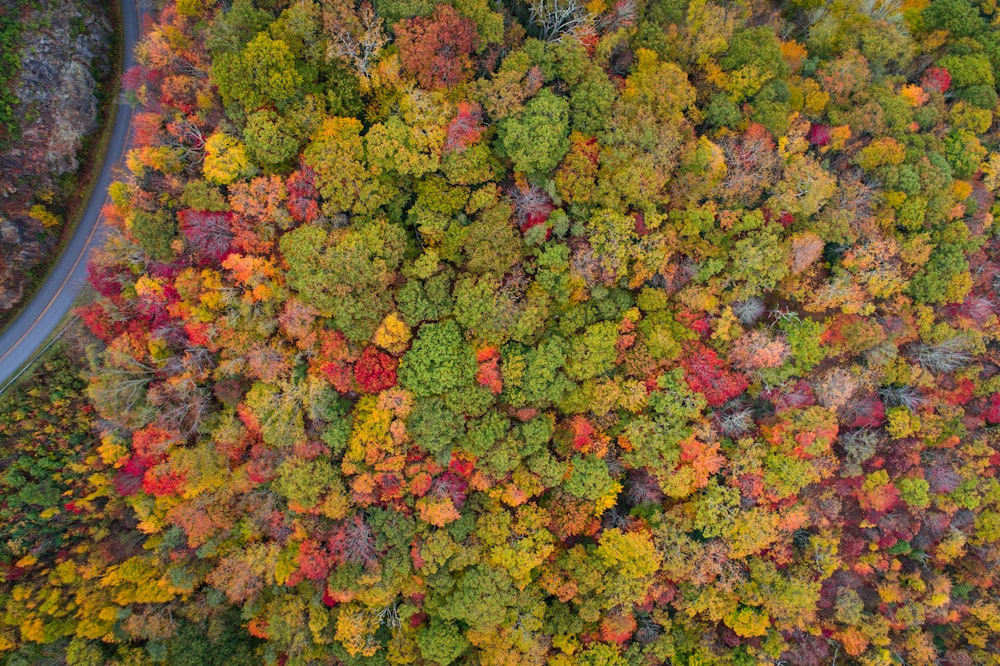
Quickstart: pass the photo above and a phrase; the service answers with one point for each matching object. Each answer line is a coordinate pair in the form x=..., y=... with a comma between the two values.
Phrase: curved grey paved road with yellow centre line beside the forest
x=55, y=298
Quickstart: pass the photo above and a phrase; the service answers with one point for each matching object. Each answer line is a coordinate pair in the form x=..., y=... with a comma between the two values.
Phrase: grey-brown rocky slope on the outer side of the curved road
x=62, y=56
